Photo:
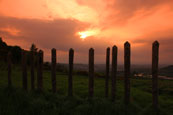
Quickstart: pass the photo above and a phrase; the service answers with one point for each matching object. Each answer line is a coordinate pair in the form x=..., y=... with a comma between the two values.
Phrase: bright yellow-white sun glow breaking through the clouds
x=88, y=33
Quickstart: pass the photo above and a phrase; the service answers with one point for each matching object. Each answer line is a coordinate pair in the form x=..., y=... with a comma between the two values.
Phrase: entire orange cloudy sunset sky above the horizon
x=82, y=24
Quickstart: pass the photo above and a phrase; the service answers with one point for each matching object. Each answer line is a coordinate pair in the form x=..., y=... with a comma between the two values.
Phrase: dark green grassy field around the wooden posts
x=15, y=101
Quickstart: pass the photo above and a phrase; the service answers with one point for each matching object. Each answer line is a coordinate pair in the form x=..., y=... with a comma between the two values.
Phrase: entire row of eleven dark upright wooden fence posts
x=127, y=67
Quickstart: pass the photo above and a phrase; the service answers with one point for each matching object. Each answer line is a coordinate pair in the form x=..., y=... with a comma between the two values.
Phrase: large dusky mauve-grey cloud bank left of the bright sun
x=59, y=34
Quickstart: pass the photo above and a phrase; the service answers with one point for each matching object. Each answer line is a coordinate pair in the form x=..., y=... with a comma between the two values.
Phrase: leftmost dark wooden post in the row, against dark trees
x=9, y=69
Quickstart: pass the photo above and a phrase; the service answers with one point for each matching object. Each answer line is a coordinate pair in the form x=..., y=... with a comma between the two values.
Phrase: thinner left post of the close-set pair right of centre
x=107, y=72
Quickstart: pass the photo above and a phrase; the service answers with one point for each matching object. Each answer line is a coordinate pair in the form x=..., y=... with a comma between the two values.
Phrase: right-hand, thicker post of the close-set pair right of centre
x=114, y=71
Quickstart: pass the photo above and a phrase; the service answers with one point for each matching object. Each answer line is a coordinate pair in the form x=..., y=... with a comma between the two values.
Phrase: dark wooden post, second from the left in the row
x=24, y=71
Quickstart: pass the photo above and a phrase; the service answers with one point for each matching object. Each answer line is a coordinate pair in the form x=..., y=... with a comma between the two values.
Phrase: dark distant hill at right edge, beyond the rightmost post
x=167, y=71
